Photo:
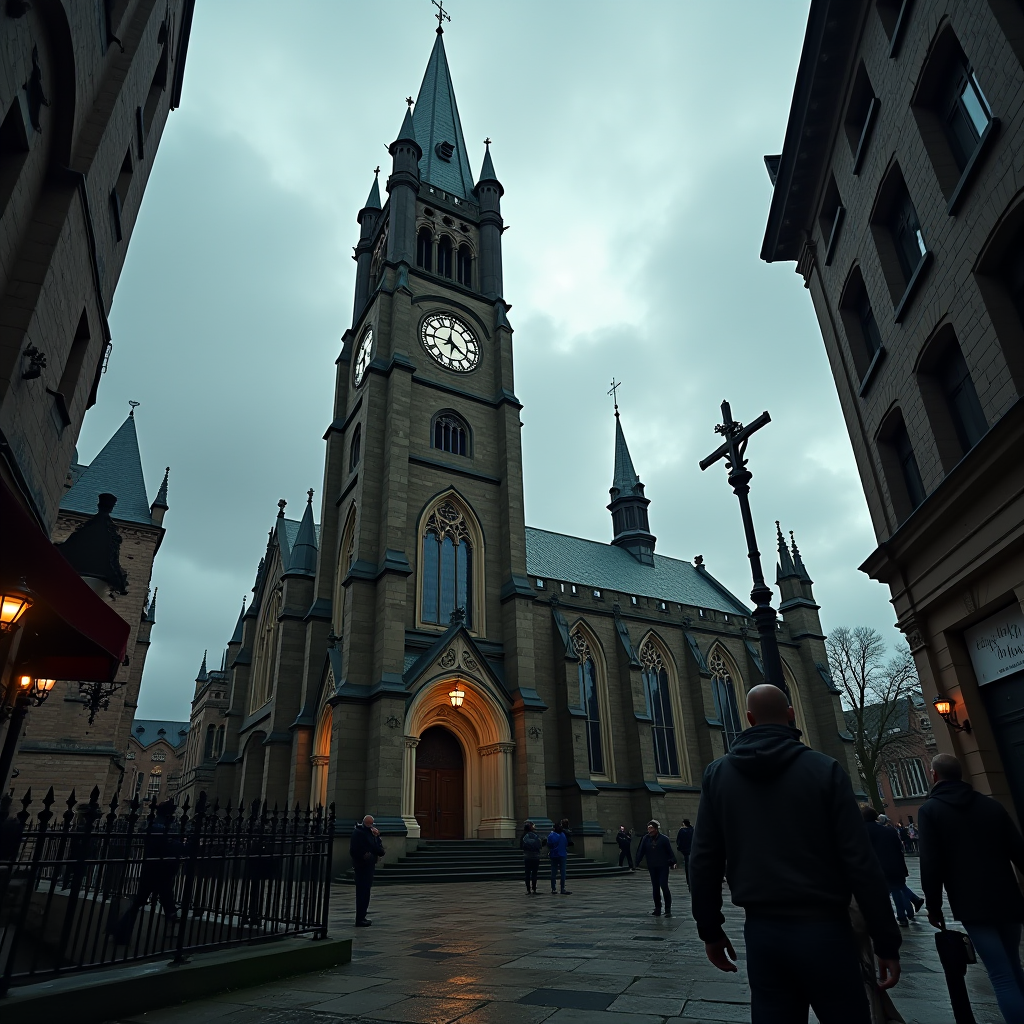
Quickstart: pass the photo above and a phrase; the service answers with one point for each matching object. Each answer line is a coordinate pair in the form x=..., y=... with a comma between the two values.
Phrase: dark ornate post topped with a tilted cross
x=733, y=451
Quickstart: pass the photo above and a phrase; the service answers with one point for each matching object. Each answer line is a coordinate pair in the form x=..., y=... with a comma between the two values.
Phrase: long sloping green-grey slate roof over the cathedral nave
x=556, y=557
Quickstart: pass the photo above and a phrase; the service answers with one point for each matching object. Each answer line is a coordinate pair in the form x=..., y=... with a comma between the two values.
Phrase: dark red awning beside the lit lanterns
x=70, y=632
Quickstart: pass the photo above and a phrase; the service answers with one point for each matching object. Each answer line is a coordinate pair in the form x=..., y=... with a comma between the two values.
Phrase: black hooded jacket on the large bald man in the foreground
x=753, y=827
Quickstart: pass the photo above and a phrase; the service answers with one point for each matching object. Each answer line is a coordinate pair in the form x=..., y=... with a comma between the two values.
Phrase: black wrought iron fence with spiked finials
x=82, y=890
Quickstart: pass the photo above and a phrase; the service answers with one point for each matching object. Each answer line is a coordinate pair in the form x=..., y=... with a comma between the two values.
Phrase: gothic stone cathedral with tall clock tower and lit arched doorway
x=425, y=657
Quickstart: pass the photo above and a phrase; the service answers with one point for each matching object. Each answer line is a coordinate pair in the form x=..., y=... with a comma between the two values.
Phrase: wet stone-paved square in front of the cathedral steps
x=487, y=954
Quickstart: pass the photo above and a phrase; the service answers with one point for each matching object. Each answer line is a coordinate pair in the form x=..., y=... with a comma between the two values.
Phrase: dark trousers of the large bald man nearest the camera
x=793, y=965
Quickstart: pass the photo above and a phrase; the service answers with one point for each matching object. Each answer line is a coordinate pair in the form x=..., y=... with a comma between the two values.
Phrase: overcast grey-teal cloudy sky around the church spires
x=629, y=139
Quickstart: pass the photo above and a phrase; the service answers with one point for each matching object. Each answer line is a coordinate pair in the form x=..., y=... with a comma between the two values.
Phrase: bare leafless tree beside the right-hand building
x=876, y=695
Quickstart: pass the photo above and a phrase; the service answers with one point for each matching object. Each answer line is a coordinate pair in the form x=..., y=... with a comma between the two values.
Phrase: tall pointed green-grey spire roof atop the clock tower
x=436, y=120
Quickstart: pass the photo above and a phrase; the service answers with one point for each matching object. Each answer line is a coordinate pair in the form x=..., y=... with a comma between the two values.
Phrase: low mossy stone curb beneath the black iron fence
x=103, y=996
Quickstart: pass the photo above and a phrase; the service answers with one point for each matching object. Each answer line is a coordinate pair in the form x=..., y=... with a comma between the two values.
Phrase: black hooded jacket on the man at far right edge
x=968, y=842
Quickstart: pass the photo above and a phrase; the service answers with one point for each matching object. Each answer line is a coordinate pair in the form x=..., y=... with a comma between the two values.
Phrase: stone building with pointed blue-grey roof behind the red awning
x=61, y=746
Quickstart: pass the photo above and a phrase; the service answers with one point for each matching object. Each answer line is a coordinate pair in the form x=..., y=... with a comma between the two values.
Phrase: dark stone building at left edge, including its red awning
x=86, y=91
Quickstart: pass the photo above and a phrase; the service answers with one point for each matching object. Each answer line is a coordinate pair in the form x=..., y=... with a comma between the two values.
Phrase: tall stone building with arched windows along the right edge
x=901, y=196
